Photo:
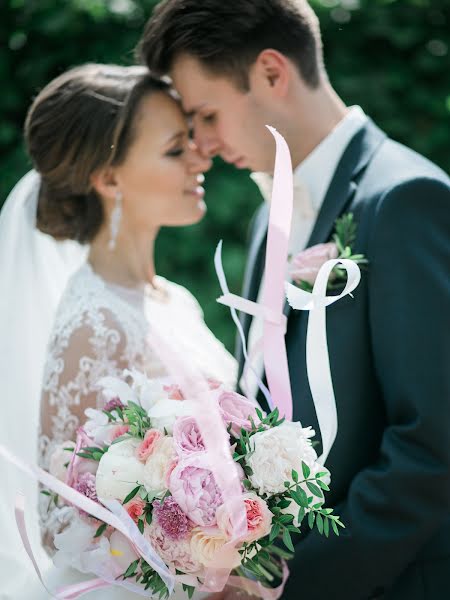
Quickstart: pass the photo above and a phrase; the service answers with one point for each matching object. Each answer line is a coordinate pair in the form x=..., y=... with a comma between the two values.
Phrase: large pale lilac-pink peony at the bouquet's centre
x=193, y=486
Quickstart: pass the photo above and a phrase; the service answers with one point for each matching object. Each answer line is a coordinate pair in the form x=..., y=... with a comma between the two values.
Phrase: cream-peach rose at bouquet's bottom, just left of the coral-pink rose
x=207, y=548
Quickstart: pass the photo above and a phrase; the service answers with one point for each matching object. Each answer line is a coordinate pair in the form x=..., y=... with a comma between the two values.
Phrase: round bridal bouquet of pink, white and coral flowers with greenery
x=145, y=450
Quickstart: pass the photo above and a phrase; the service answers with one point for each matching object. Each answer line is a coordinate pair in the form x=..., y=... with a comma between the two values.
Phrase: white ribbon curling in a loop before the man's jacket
x=317, y=357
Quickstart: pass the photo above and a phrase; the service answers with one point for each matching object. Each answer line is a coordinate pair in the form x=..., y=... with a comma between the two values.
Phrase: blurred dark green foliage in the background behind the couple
x=390, y=56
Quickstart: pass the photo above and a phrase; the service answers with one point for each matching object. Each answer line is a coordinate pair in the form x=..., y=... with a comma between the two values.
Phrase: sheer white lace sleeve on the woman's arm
x=78, y=357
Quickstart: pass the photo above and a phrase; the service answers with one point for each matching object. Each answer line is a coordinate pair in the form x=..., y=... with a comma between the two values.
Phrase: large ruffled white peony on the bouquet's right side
x=278, y=451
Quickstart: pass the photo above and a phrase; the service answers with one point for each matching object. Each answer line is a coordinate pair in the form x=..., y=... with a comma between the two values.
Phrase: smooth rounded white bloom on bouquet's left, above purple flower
x=119, y=470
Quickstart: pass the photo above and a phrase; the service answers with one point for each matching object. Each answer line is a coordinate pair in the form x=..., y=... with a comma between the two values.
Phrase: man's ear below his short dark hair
x=271, y=72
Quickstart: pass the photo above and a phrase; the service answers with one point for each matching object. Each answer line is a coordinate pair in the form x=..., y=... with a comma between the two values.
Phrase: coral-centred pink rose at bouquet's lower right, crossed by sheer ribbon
x=259, y=517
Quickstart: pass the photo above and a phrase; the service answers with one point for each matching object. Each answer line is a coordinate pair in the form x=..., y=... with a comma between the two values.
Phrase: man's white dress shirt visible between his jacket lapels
x=312, y=179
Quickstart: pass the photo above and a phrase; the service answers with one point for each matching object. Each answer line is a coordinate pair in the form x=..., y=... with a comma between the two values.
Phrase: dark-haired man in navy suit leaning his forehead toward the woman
x=241, y=64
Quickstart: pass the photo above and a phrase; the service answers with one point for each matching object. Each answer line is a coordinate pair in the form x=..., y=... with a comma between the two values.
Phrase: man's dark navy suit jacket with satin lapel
x=389, y=351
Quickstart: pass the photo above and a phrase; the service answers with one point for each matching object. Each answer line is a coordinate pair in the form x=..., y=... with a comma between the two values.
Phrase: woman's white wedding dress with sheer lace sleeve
x=101, y=329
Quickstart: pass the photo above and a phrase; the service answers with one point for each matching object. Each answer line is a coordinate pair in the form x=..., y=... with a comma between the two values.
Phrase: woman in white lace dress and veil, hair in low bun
x=113, y=164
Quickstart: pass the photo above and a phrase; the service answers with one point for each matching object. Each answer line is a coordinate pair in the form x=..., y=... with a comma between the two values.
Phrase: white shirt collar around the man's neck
x=317, y=169
